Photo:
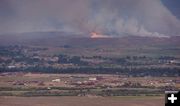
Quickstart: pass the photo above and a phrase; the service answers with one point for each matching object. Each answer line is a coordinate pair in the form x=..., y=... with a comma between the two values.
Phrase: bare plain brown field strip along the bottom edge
x=81, y=101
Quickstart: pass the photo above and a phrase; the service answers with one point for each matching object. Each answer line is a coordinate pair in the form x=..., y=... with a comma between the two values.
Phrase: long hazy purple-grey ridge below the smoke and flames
x=61, y=38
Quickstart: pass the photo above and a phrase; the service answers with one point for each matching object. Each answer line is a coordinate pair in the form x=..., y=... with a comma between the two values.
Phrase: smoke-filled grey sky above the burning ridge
x=158, y=18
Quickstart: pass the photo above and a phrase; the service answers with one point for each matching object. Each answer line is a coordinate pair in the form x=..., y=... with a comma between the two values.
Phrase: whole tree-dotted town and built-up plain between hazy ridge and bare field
x=31, y=71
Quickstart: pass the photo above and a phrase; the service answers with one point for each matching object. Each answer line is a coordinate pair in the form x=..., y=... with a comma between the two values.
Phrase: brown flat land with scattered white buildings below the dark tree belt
x=36, y=84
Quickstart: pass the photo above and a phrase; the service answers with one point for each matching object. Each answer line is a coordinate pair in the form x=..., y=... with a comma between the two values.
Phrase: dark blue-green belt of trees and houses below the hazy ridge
x=35, y=59
